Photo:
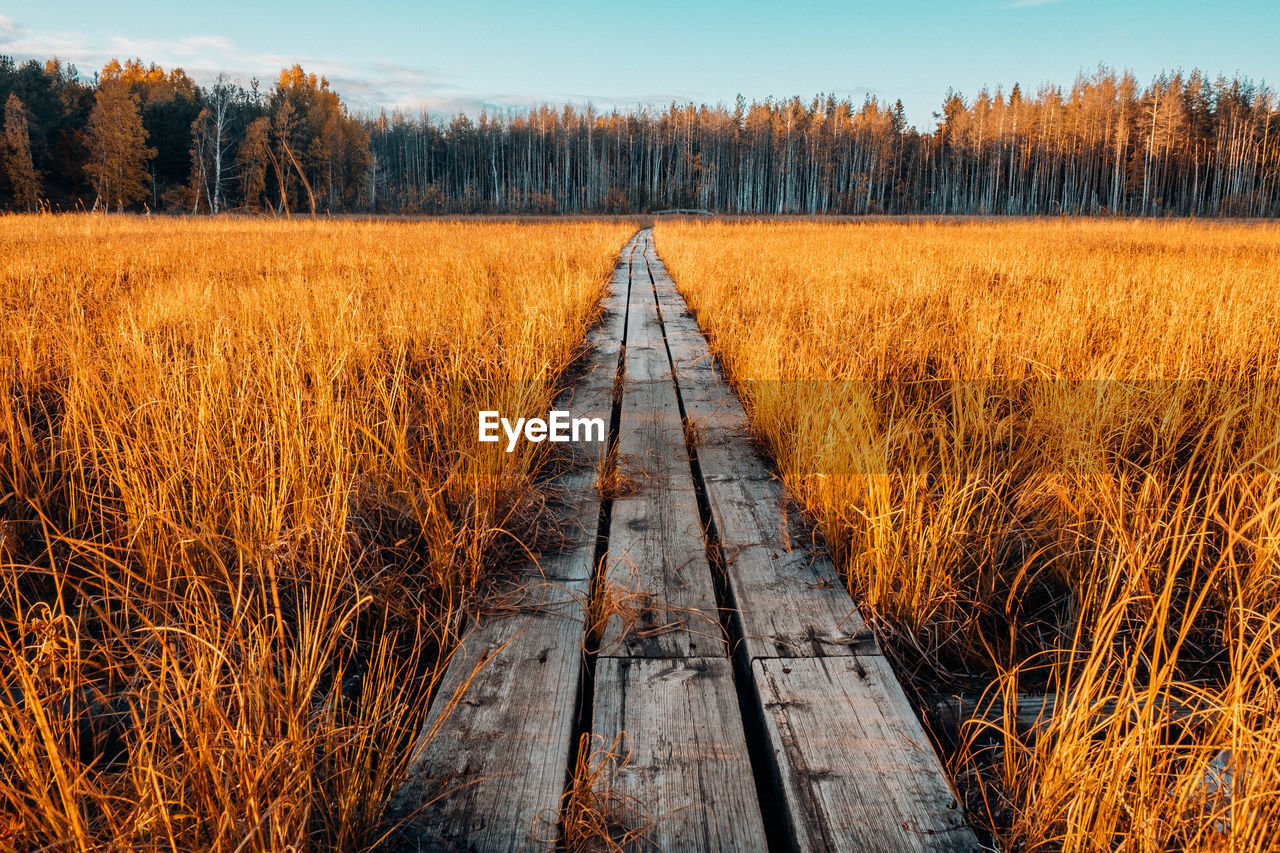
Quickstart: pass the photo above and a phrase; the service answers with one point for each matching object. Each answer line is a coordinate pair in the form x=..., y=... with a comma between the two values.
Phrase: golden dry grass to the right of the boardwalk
x=1048, y=455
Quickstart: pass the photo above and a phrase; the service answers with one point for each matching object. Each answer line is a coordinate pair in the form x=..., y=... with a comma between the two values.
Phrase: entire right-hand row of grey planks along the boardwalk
x=857, y=769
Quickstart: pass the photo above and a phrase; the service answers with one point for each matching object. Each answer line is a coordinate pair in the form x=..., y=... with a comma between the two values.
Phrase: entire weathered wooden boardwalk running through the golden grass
x=688, y=614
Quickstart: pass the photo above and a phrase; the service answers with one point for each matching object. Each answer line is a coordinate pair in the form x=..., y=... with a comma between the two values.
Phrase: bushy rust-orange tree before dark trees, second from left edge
x=118, y=148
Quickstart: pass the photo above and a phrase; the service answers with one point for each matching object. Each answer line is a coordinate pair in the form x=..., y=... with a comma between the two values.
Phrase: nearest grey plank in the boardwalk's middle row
x=689, y=767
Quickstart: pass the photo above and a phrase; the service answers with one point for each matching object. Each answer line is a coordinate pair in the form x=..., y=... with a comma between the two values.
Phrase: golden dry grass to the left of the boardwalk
x=243, y=501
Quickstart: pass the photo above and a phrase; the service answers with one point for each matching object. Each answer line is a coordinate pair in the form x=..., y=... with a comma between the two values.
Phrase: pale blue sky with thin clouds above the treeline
x=445, y=57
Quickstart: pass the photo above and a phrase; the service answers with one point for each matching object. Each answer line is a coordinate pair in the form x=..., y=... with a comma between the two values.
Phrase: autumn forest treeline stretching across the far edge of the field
x=141, y=138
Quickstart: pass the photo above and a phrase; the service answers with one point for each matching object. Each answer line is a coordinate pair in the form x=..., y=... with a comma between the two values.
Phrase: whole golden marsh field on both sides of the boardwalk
x=244, y=509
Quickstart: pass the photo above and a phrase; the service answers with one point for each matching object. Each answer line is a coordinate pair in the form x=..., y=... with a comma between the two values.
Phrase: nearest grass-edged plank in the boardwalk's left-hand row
x=492, y=758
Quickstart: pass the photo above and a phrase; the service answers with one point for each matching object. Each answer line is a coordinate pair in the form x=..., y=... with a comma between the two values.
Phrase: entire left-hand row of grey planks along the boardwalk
x=493, y=752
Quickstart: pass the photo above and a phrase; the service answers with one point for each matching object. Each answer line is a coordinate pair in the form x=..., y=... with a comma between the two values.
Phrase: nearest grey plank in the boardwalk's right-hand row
x=856, y=767
